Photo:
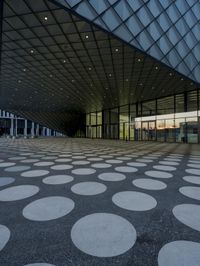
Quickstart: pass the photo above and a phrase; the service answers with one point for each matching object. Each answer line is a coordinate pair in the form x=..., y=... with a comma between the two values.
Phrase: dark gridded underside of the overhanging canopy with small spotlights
x=55, y=65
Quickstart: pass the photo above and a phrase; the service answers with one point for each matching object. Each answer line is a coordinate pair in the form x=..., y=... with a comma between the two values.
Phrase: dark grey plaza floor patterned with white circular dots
x=99, y=202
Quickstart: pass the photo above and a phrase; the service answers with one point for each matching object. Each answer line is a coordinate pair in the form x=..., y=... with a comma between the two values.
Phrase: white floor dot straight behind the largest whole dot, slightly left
x=88, y=188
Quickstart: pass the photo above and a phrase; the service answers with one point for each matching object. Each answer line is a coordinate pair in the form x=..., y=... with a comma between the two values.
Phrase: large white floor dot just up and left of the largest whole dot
x=48, y=208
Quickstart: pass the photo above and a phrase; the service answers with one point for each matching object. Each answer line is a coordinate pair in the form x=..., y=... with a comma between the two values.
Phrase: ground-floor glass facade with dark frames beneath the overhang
x=168, y=119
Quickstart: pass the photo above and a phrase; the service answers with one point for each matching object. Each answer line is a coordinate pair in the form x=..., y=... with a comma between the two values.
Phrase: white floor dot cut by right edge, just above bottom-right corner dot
x=188, y=214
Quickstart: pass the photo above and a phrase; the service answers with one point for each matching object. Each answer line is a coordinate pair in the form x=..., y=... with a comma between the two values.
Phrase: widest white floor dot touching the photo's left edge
x=18, y=192
